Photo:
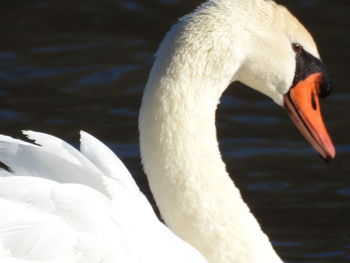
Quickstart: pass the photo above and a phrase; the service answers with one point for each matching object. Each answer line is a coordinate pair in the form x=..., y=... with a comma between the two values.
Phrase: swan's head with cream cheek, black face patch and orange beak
x=283, y=62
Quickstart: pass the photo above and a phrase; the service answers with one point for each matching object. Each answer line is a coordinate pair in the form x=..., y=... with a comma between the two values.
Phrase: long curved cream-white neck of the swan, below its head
x=179, y=147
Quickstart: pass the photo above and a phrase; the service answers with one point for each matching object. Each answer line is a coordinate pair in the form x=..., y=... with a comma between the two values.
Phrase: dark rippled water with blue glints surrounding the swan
x=71, y=65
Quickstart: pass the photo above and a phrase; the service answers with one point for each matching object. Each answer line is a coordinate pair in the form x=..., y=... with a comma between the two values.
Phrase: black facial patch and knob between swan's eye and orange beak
x=307, y=64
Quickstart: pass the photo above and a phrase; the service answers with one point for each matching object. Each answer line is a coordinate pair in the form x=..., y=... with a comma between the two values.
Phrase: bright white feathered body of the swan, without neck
x=69, y=206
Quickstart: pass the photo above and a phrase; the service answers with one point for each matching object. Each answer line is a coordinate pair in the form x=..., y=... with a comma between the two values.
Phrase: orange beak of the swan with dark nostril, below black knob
x=303, y=107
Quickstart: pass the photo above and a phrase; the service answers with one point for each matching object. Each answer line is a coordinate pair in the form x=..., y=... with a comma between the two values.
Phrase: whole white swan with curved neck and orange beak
x=83, y=206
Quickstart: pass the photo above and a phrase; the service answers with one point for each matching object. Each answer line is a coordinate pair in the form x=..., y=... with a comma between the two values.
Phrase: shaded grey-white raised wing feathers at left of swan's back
x=55, y=161
